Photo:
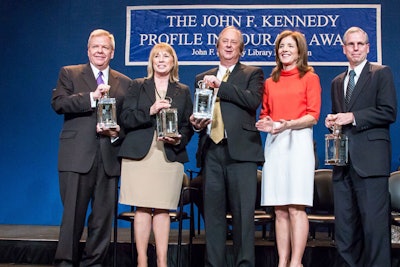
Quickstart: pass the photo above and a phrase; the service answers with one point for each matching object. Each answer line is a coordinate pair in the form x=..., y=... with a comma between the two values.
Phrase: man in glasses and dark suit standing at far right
x=364, y=112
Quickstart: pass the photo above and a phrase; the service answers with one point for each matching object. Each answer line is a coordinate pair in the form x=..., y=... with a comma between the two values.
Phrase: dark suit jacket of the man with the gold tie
x=240, y=98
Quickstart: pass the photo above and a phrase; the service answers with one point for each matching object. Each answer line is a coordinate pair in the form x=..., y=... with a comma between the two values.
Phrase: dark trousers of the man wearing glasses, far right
x=362, y=218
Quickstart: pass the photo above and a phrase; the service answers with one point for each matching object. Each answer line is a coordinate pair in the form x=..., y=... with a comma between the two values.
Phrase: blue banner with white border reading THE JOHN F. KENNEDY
x=193, y=31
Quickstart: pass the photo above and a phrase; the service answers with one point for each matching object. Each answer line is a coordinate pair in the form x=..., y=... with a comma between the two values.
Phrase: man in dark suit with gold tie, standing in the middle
x=229, y=164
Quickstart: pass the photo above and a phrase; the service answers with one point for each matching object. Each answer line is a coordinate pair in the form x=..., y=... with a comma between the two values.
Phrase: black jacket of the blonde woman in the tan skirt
x=140, y=126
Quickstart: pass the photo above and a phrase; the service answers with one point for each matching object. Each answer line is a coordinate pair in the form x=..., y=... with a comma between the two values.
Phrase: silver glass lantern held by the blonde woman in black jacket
x=167, y=122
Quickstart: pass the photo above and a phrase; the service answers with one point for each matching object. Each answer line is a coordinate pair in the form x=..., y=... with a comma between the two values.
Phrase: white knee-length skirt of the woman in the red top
x=288, y=171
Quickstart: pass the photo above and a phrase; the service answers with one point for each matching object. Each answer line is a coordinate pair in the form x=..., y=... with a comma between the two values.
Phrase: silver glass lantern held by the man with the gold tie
x=203, y=105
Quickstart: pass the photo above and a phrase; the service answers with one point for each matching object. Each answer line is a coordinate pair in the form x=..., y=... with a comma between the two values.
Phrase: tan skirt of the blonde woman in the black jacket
x=152, y=182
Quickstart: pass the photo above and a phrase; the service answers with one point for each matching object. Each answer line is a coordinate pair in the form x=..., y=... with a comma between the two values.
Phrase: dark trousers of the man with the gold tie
x=228, y=180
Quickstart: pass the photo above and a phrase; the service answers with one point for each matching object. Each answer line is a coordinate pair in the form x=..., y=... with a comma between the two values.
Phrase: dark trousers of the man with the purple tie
x=77, y=191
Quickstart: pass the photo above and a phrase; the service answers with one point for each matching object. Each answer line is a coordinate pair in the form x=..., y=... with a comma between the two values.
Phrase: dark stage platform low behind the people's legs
x=35, y=246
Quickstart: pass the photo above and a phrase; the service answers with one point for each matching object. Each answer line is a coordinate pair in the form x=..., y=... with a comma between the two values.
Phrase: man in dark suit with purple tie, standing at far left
x=87, y=161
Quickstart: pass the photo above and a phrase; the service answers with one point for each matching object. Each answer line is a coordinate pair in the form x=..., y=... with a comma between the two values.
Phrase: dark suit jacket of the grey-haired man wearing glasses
x=374, y=106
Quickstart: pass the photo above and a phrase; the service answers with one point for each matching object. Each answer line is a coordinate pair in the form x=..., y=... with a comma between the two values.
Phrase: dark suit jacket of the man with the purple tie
x=79, y=141
